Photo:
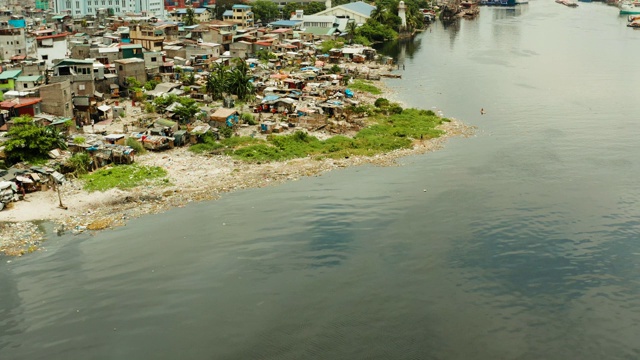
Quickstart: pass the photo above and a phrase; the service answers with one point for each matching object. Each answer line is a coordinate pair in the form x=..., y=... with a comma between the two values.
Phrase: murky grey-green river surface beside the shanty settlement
x=519, y=243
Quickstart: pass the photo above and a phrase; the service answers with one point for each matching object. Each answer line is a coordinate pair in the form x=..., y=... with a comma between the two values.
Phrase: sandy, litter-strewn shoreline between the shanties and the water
x=193, y=178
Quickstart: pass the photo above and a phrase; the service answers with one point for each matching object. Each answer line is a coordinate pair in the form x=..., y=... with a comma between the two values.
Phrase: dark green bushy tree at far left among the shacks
x=31, y=142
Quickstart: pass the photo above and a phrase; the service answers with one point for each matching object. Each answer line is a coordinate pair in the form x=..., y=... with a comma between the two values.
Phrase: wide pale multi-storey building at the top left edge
x=79, y=8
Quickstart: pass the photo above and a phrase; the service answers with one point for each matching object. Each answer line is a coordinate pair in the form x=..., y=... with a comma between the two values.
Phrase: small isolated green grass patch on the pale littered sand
x=124, y=177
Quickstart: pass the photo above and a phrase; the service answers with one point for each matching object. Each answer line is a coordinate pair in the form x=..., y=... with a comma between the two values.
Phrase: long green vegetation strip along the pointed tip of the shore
x=388, y=133
